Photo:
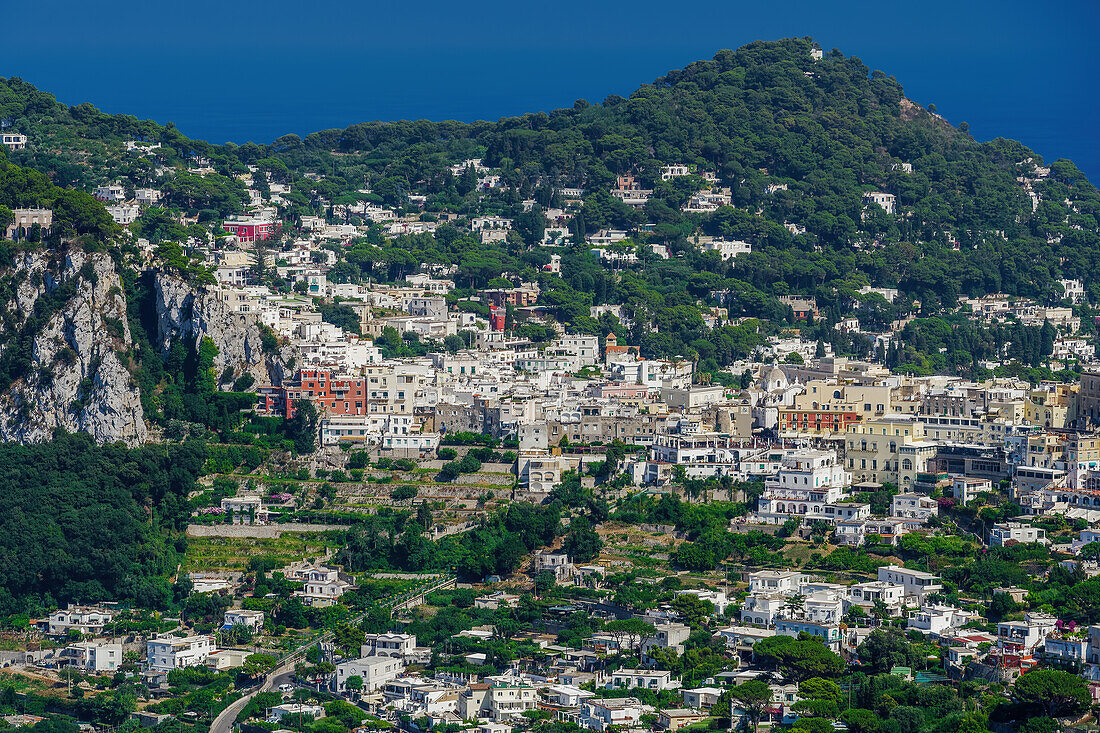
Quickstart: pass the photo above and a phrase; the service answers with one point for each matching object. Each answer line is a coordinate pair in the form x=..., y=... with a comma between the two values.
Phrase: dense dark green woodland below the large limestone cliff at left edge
x=81, y=523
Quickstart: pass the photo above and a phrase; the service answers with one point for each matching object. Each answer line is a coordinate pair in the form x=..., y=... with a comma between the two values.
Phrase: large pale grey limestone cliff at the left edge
x=76, y=379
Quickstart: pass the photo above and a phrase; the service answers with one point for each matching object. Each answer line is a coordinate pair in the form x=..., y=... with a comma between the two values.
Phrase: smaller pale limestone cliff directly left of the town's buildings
x=192, y=315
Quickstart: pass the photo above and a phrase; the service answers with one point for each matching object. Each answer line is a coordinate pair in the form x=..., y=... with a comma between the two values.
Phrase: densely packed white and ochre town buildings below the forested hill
x=816, y=430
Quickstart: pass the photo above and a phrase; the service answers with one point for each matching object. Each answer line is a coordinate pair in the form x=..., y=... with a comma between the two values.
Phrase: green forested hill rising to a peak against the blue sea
x=798, y=141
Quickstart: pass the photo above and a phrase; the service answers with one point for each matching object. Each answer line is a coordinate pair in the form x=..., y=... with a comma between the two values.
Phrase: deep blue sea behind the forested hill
x=245, y=70
